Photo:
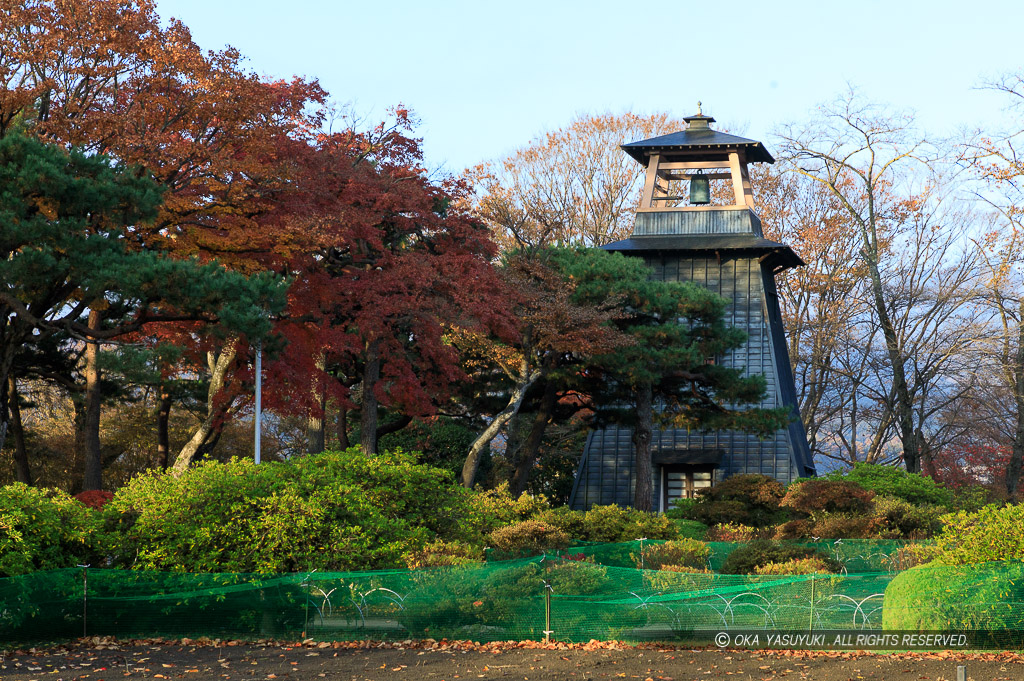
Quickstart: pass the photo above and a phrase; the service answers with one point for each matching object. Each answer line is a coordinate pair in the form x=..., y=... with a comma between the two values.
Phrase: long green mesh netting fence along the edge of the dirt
x=572, y=601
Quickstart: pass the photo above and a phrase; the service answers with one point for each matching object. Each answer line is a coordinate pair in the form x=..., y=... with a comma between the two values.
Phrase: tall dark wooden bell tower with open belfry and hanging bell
x=687, y=233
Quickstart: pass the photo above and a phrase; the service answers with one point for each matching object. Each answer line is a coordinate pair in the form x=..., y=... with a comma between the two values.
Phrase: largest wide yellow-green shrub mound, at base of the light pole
x=336, y=512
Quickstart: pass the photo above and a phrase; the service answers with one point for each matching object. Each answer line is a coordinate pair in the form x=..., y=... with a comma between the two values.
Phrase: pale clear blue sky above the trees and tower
x=486, y=77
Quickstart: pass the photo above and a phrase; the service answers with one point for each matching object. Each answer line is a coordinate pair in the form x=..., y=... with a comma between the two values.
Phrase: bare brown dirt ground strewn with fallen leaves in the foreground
x=106, y=660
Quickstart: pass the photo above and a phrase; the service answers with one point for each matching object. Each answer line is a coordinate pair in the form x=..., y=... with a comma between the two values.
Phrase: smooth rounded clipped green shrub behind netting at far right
x=990, y=597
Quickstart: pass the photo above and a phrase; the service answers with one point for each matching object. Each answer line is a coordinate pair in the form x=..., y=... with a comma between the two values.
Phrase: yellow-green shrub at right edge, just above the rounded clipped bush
x=992, y=534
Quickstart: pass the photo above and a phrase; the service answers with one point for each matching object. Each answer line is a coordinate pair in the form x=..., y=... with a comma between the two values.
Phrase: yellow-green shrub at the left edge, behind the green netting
x=45, y=530
